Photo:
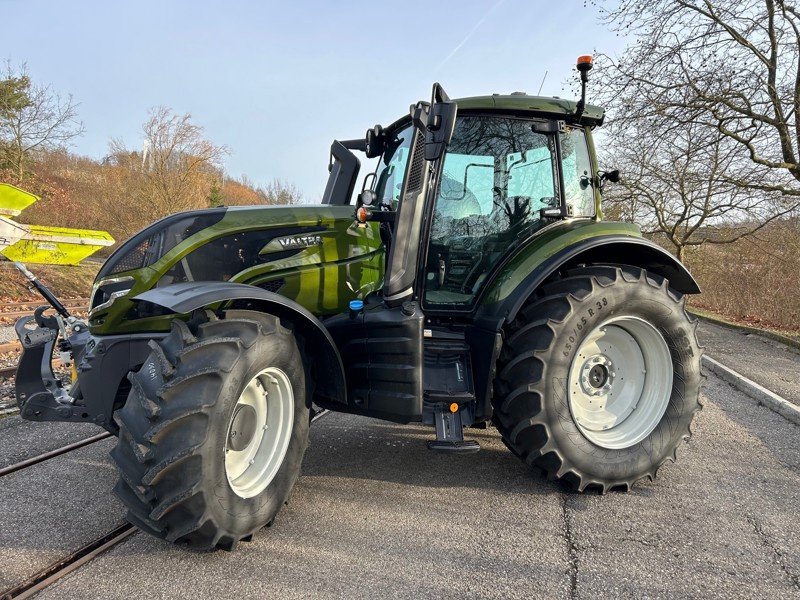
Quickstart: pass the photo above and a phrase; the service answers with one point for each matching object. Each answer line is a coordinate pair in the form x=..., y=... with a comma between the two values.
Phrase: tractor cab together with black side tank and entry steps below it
x=459, y=189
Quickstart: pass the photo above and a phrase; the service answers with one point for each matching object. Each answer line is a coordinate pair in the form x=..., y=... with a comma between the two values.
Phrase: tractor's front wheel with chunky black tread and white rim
x=201, y=386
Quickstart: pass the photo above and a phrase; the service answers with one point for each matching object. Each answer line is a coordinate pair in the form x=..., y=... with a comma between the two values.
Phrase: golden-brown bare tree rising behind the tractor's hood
x=176, y=168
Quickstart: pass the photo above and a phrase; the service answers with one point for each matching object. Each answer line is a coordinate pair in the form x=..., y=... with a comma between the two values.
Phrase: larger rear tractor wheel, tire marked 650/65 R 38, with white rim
x=563, y=405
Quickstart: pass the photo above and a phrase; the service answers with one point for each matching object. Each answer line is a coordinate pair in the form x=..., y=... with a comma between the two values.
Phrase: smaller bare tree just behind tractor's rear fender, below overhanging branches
x=681, y=187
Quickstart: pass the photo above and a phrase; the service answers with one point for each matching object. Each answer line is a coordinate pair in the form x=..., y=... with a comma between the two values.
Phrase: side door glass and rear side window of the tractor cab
x=498, y=175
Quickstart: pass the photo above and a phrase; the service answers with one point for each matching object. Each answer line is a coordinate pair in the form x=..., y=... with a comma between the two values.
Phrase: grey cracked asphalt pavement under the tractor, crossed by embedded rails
x=375, y=514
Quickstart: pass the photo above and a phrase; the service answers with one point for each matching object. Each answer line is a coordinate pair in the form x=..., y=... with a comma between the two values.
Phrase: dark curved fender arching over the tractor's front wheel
x=324, y=361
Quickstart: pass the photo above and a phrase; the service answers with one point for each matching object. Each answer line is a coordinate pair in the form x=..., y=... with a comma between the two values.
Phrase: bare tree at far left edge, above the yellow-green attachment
x=32, y=119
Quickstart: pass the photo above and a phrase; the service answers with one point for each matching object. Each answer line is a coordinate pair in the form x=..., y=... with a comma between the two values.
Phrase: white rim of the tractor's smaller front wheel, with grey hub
x=263, y=419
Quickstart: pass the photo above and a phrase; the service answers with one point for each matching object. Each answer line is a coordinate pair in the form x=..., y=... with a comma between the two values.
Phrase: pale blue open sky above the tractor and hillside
x=276, y=82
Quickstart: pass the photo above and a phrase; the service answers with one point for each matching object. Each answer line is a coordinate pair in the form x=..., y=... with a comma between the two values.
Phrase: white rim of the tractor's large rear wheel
x=620, y=382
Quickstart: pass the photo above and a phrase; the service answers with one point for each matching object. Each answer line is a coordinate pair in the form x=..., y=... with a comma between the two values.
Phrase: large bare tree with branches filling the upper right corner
x=731, y=66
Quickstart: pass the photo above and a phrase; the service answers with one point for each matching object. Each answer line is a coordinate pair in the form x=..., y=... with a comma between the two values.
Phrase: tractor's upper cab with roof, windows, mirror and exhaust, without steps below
x=501, y=169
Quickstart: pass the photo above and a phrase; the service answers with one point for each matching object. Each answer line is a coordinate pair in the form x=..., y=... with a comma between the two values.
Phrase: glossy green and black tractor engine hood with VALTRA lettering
x=316, y=255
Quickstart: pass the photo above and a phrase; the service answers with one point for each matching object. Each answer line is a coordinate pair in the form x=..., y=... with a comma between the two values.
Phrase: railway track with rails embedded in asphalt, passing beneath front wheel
x=86, y=553
